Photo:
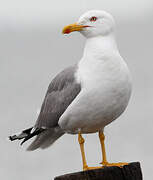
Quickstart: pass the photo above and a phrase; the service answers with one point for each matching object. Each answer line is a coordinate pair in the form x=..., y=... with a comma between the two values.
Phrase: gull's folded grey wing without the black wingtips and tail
x=61, y=92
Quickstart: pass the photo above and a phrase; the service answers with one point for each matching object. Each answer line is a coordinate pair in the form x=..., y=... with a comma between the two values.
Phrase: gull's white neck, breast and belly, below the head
x=105, y=88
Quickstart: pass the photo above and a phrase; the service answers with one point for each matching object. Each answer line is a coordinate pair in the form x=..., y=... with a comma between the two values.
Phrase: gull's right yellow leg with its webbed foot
x=104, y=159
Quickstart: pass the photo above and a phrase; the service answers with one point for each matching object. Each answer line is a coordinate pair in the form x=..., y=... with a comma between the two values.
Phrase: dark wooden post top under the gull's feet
x=127, y=172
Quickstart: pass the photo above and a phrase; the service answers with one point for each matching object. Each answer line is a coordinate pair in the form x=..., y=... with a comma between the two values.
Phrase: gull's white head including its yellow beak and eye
x=92, y=23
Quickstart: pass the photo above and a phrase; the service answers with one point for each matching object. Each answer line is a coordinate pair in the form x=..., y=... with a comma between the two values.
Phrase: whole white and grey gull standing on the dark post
x=85, y=97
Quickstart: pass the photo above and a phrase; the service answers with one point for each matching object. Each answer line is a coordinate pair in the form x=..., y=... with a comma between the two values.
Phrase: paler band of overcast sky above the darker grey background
x=38, y=11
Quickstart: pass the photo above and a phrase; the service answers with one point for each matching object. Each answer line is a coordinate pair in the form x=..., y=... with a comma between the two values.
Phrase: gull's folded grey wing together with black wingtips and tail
x=61, y=92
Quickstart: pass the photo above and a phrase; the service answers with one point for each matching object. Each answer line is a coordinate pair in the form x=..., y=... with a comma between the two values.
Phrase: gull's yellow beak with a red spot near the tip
x=73, y=27
